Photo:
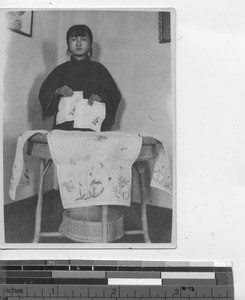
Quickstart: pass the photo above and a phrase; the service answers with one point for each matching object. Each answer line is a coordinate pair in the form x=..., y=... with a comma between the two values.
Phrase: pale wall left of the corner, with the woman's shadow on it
x=28, y=61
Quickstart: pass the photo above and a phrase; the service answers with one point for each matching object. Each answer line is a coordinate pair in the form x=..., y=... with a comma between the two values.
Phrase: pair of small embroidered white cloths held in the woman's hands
x=76, y=109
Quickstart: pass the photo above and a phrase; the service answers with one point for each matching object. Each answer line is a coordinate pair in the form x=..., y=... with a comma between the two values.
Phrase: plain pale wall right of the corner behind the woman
x=126, y=42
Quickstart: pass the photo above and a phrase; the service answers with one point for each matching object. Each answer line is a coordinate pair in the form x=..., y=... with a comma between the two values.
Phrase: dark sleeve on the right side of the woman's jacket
x=111, y=96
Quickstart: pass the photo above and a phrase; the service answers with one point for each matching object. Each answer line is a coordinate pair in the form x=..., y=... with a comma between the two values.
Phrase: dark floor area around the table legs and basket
x=20, y=218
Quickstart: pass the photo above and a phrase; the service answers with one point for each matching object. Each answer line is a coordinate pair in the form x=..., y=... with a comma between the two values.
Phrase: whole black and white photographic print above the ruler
x=89, y=129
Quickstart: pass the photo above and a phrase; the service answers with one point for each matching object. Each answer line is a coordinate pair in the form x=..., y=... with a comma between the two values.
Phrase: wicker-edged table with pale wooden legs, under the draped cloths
x=39, y=149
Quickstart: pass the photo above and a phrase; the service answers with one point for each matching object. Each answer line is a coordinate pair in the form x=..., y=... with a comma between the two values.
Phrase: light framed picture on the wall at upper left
x=20, y=22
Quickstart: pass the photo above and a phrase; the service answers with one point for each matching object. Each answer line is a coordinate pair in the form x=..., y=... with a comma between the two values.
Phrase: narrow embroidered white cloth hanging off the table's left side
x=20, y=174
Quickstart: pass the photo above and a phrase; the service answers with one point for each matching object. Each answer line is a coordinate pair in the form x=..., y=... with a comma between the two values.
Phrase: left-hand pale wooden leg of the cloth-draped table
x=43, y=170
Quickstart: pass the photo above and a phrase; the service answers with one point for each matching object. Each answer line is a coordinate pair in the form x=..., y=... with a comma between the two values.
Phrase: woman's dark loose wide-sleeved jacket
x=88, y=76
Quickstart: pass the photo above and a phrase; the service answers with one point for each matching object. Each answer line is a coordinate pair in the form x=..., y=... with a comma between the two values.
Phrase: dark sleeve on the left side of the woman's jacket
x=47, y=98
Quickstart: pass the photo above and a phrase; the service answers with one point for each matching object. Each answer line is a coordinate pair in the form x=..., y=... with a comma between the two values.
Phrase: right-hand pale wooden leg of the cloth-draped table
x=141, y=167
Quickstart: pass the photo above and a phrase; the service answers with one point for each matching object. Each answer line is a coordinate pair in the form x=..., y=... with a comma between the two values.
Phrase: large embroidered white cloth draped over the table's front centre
x=94, y=168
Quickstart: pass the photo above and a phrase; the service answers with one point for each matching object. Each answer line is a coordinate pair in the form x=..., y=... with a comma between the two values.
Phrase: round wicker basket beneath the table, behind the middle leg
x=85, y=224
